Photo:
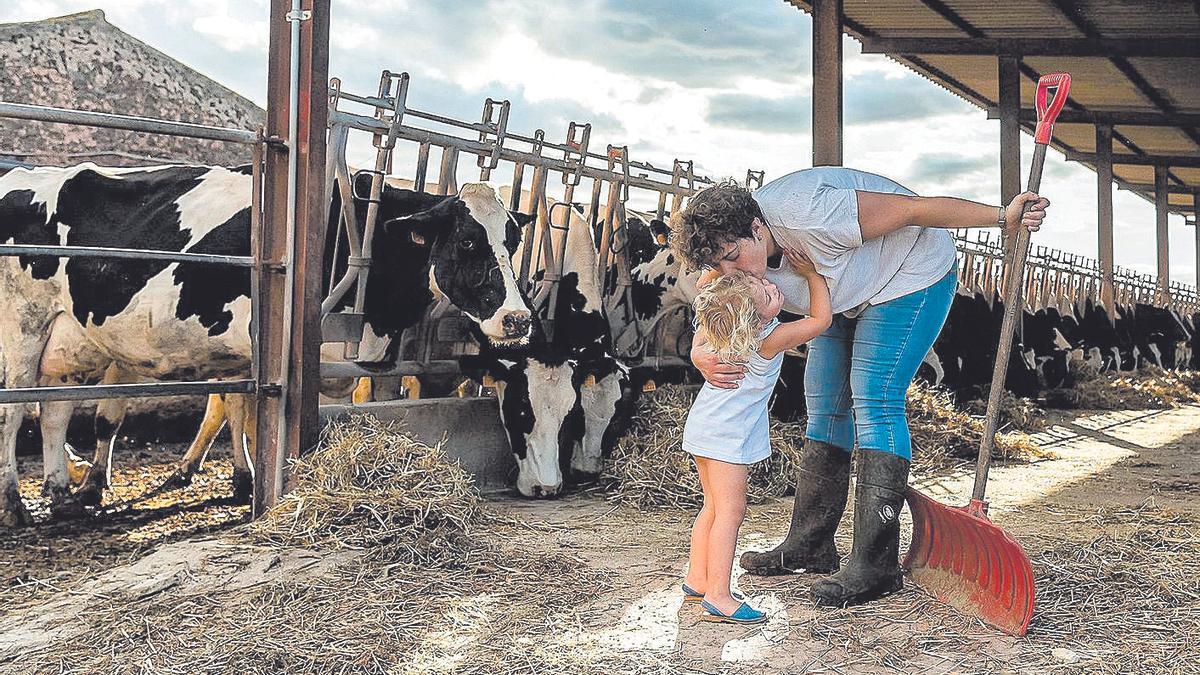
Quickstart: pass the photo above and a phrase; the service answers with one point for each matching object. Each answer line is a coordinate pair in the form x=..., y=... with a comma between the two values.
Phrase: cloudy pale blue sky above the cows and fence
x=724, y=83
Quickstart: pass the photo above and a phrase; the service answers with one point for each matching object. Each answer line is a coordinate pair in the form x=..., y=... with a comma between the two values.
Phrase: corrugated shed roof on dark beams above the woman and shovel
x=1135, y=65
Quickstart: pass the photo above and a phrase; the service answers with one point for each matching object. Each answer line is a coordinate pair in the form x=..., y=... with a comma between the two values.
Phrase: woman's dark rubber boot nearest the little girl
x=823, y=481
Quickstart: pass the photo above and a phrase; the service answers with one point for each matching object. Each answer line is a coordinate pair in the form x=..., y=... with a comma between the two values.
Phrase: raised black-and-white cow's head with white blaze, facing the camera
x=471, y=240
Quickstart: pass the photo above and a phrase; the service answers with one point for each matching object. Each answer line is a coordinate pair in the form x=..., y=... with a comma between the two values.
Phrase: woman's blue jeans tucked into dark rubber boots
x=859, y=372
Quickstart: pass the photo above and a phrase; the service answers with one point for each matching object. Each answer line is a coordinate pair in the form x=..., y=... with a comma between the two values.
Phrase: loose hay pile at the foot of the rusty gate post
x=371, y=487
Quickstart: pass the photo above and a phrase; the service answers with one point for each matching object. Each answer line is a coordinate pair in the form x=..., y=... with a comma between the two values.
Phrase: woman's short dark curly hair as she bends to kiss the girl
x=713, y=218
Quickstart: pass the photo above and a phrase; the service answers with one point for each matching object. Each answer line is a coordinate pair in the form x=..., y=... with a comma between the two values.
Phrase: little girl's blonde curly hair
x=725, y=310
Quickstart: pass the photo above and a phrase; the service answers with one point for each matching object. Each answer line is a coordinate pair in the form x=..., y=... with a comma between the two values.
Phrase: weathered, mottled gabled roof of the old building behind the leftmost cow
x=83, y=62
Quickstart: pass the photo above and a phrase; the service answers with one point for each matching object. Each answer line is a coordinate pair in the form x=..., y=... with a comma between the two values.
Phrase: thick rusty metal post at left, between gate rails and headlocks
x=293, y=375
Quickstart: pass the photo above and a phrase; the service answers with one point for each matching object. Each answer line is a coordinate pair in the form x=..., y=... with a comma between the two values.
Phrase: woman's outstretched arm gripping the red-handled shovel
x=881, y=213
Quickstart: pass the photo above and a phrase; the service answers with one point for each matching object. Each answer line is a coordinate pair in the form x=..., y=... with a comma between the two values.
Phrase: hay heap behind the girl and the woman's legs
x=649, y=467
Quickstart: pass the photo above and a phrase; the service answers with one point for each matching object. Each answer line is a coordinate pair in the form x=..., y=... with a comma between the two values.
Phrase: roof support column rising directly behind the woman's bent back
x=827, y=130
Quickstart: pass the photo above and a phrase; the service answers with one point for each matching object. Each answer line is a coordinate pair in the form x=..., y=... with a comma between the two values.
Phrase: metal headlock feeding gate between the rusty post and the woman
x=497, y=150
